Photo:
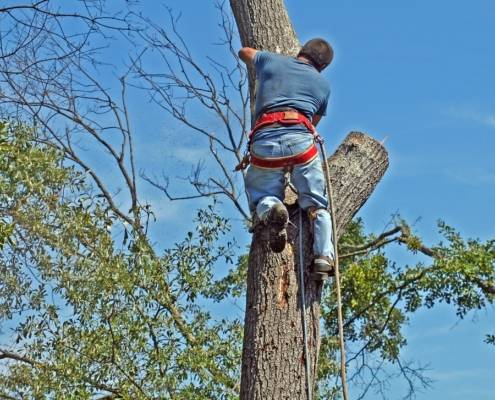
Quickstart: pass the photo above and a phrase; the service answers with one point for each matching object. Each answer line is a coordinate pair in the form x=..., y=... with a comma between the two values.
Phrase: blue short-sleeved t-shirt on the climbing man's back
x=288, y=82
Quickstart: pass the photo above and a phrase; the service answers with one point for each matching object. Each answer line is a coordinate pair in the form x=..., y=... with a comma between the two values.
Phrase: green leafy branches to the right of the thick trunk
x=379, y=297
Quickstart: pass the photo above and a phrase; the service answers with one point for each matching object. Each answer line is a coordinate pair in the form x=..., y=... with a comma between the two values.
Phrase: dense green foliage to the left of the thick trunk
x=95, y=316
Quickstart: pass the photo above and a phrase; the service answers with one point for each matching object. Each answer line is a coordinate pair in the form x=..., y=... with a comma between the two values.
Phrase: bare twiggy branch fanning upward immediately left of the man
x=186, y=83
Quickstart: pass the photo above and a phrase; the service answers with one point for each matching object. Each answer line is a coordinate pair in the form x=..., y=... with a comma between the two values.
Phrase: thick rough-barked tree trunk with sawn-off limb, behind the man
x=273, y=358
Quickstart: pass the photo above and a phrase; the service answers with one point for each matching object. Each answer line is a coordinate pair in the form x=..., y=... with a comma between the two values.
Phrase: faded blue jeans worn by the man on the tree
x=265, y=187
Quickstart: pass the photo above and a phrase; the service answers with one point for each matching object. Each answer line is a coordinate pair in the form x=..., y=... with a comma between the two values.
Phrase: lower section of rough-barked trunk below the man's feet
x=273, y=358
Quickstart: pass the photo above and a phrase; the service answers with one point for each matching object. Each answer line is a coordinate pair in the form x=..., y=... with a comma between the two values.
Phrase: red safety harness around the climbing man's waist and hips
x=286, y=118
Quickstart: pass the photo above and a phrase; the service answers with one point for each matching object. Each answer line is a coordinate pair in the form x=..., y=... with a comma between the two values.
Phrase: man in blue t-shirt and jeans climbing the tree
x=292, y=97
